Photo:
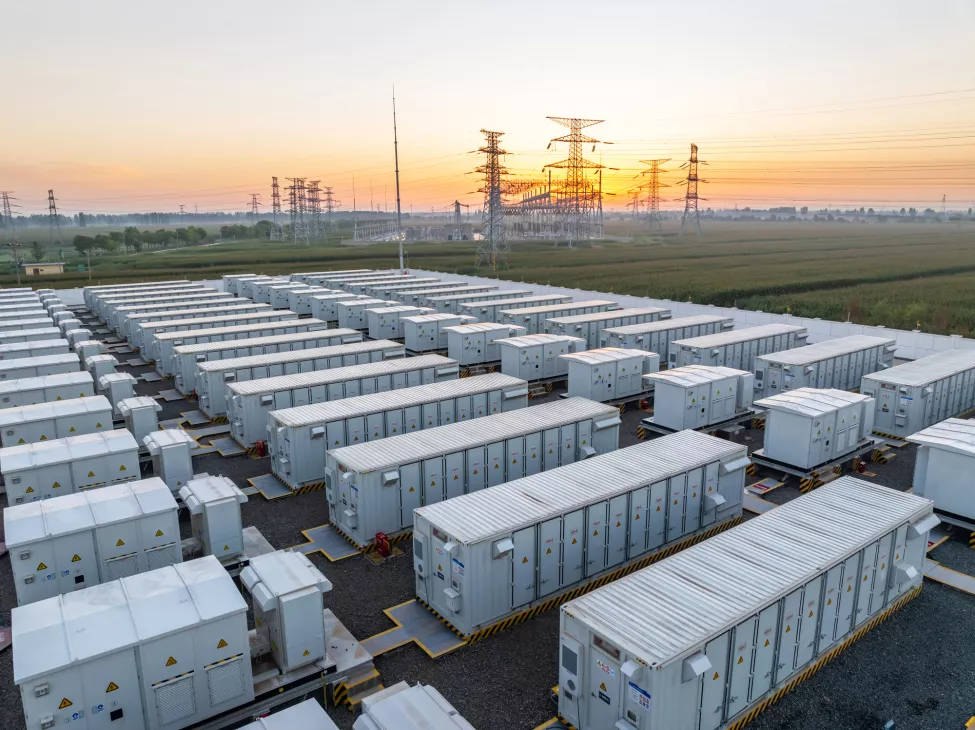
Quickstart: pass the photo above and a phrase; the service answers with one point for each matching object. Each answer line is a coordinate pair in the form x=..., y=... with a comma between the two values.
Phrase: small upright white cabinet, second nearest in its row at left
x=214, y=506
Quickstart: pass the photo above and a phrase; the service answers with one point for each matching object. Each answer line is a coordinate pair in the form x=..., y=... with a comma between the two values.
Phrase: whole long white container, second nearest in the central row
x=486, y=556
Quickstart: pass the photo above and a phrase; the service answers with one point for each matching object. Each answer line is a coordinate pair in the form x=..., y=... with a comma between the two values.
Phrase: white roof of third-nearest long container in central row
x=410, y=447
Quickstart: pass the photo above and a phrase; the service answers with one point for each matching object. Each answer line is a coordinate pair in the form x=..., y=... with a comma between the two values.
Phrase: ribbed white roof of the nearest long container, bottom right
x=665, y=611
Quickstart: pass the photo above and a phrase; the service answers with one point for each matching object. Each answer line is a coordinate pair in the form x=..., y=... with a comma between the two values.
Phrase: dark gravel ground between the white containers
x=916, y=668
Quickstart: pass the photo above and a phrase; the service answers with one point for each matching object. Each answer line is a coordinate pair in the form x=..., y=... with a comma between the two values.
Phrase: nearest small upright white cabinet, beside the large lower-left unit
x=287, y=593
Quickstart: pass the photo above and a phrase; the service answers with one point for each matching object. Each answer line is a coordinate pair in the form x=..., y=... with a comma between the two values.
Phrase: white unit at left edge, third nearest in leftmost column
x=62, y=466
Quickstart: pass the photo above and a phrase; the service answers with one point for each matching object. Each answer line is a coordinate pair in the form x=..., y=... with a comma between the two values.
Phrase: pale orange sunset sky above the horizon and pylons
x=122, y=107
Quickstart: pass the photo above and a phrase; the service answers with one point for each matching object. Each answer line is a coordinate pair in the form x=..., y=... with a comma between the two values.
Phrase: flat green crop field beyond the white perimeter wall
x=893, y=274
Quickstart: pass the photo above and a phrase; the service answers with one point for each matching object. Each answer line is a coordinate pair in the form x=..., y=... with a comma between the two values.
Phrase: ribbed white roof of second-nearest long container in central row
x=486, y=513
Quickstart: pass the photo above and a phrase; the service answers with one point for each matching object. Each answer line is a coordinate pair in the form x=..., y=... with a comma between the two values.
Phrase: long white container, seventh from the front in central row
x=187, y=357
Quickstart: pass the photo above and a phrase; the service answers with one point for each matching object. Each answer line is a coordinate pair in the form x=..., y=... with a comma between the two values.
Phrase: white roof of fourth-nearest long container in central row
x=362, y=405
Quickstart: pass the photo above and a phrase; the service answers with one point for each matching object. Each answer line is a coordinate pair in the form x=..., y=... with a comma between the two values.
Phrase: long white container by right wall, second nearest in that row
x=839, y=363
